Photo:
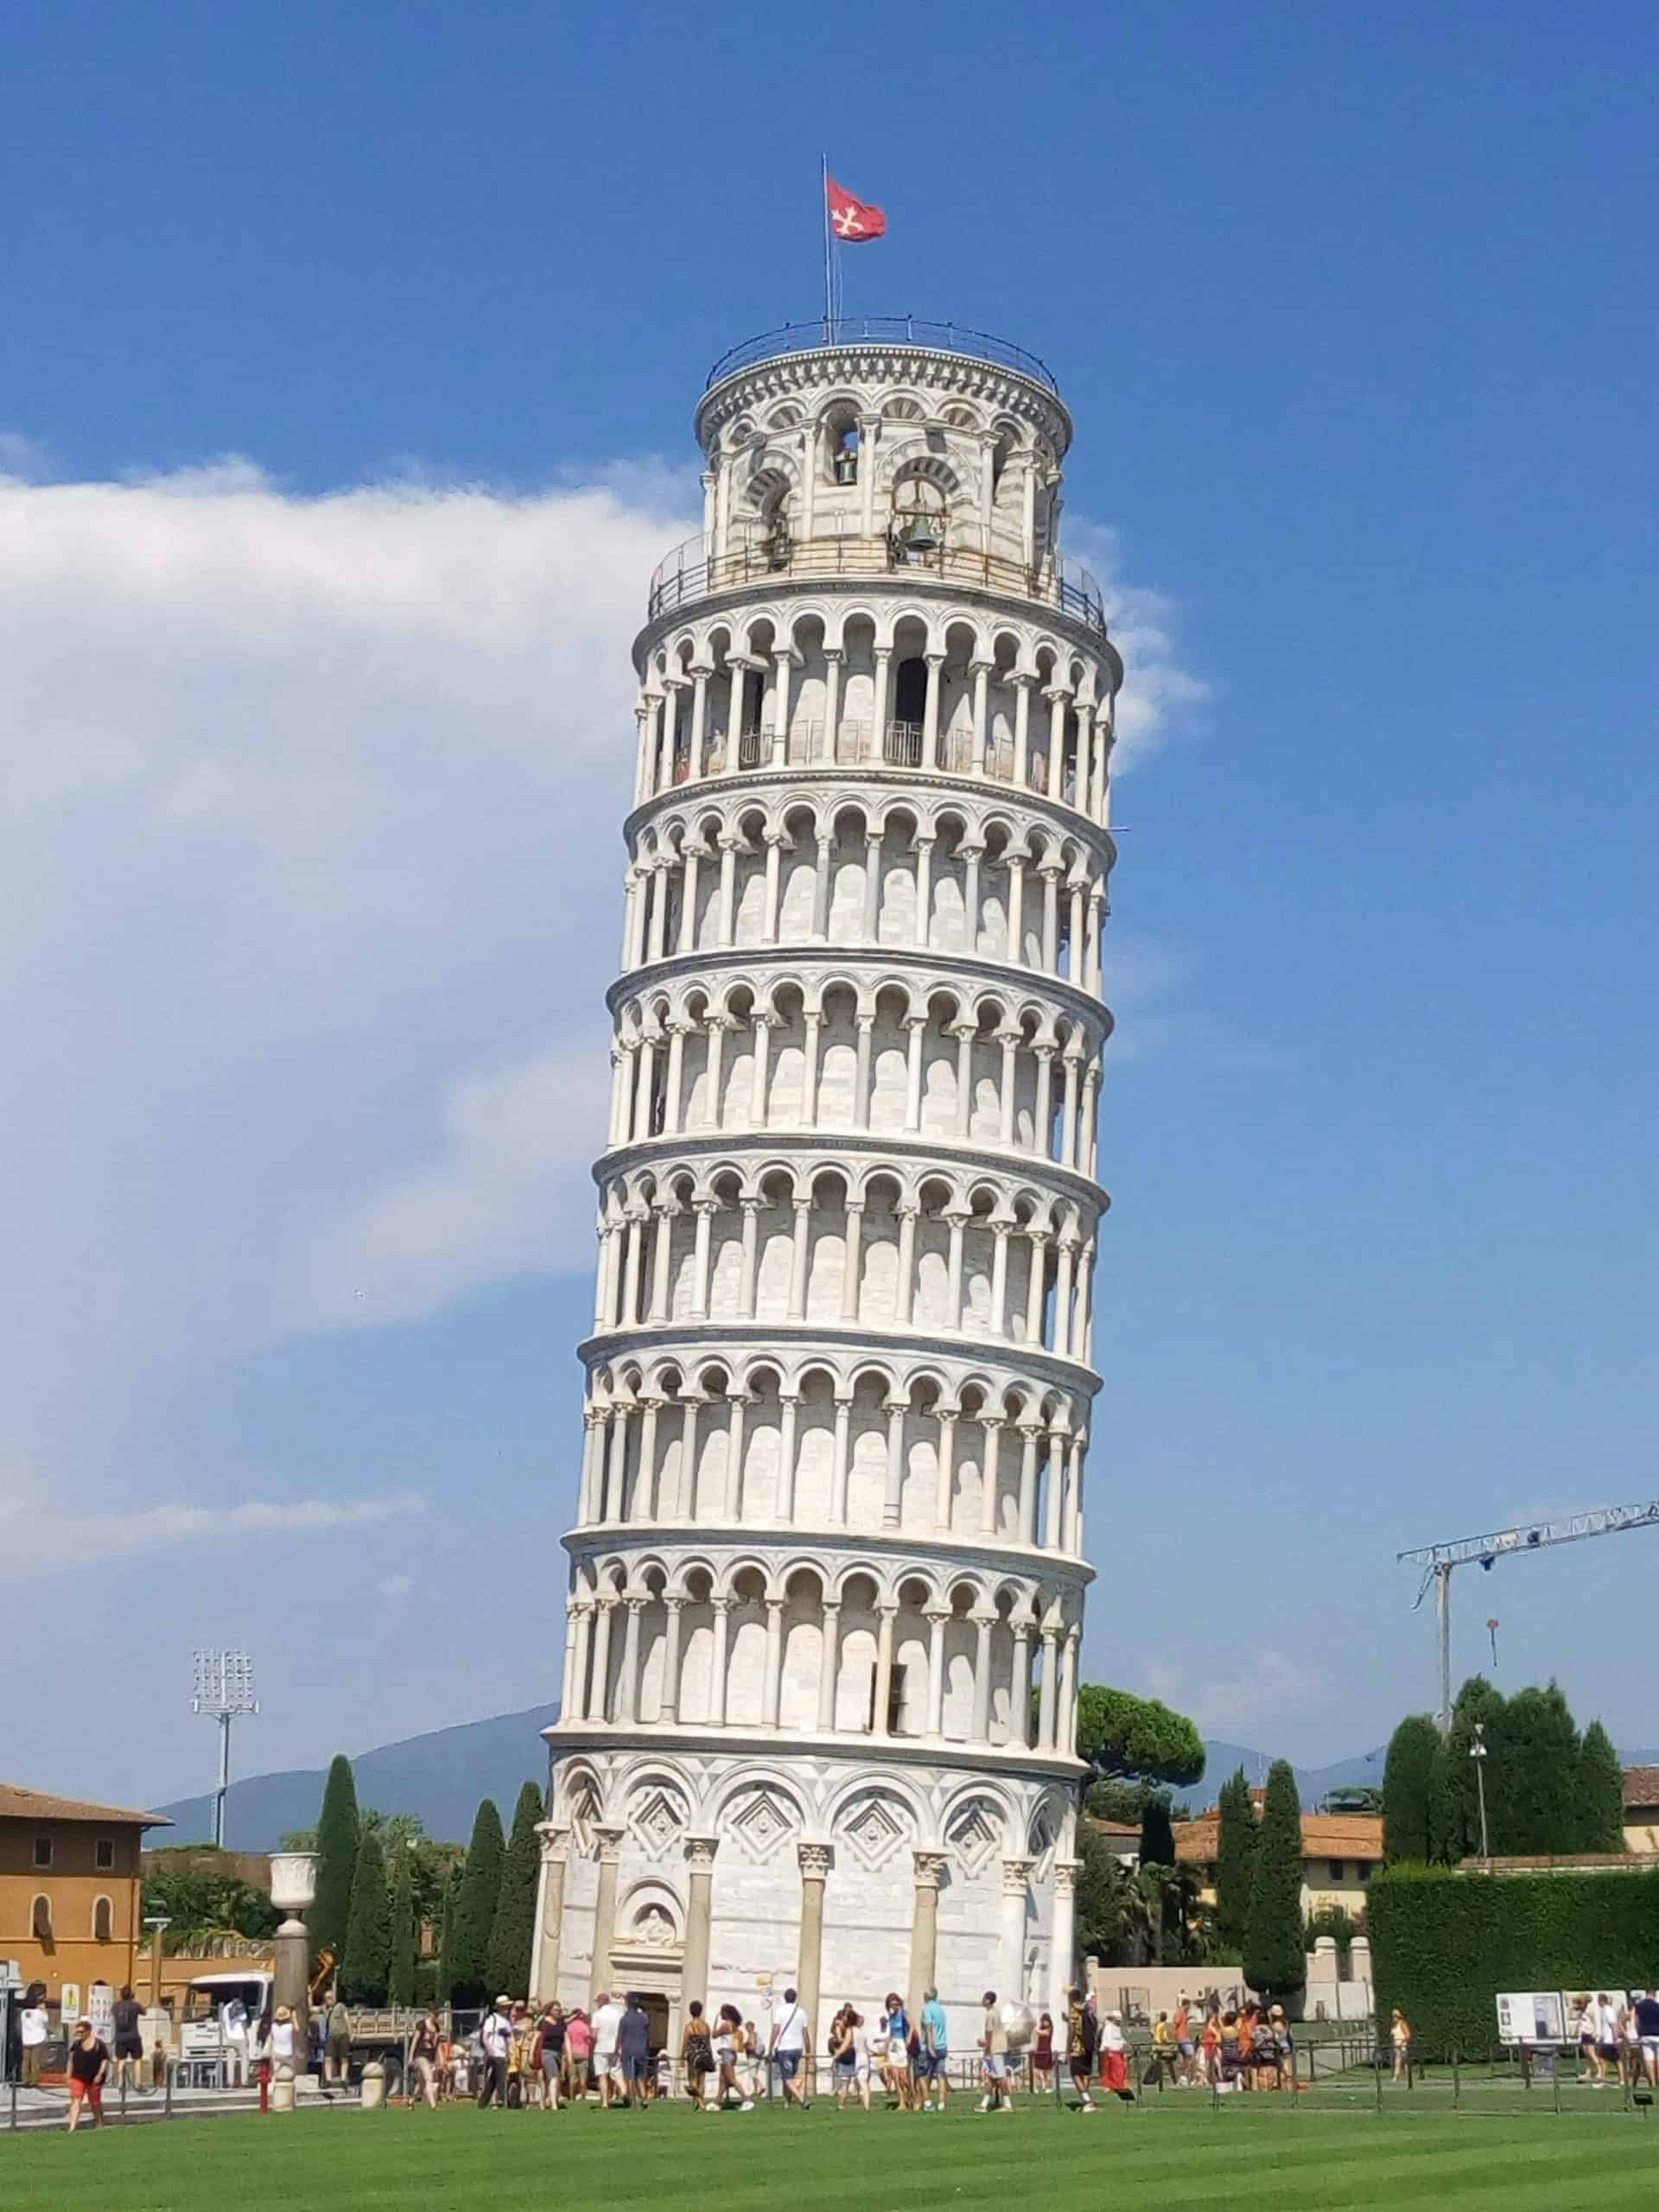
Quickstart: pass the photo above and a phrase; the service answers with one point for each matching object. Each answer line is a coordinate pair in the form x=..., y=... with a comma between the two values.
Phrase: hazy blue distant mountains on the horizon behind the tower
x=441, y=1777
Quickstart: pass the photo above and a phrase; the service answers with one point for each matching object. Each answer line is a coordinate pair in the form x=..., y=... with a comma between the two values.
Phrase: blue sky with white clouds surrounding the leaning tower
x=1355, y=313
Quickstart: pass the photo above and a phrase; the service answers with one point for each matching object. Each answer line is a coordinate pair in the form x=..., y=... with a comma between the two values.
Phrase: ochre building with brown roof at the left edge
x=70, y=1888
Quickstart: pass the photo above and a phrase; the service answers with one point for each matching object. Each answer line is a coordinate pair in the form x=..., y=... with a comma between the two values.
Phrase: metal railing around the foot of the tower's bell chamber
x=691, y=572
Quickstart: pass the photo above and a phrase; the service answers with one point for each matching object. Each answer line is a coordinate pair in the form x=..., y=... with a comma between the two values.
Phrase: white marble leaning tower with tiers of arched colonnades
x=828, y=1567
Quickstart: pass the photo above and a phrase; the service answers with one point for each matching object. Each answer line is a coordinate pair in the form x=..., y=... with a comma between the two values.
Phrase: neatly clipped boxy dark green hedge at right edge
x=1446, y=1943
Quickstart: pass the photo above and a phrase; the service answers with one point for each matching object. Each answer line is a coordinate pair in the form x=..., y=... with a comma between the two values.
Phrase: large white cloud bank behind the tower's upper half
x=311, y=881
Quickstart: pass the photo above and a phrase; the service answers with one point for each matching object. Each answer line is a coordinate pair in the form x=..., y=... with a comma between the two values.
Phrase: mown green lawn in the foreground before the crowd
x=1178, y=2156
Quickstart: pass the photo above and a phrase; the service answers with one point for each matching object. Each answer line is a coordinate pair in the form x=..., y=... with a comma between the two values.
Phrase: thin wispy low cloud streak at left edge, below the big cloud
x=41, y=1538
